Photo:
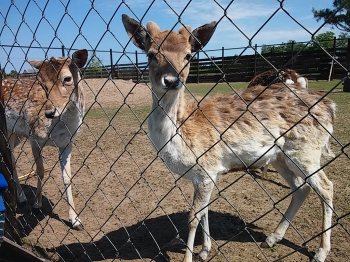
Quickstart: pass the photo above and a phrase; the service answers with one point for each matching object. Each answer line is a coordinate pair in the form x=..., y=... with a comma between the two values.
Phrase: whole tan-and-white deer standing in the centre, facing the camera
x=223, y=133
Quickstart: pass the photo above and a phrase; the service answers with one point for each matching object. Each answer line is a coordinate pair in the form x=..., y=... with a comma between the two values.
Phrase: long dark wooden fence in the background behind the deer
x=314, y=64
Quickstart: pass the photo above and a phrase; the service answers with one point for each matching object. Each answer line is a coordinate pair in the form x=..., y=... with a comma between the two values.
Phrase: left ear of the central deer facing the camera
x=136, y=31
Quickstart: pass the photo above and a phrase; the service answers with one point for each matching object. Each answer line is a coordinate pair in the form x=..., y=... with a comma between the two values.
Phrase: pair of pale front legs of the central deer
x=199, y=212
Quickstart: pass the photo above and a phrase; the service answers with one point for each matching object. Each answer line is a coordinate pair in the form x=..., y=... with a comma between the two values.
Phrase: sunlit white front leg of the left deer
x=65, y=155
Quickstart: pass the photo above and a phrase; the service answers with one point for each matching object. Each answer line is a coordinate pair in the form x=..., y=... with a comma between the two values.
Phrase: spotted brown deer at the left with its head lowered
x=48, y=110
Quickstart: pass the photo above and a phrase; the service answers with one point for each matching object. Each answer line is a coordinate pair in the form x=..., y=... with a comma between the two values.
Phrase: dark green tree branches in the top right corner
x=338, y=17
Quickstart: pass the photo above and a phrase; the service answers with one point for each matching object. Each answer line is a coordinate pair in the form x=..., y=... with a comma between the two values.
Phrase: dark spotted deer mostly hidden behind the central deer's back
x=272, y=76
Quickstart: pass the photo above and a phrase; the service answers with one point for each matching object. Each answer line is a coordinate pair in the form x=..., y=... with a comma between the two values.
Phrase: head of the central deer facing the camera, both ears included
x=169, y=53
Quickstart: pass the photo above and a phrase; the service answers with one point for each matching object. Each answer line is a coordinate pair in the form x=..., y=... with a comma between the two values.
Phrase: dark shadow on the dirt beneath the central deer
x=154, y=238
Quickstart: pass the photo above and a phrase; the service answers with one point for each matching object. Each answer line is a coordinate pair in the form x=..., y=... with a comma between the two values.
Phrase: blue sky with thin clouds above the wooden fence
x=97, y=25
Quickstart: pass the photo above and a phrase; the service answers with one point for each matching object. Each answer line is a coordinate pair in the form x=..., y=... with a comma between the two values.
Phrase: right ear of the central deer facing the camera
x=201, y=36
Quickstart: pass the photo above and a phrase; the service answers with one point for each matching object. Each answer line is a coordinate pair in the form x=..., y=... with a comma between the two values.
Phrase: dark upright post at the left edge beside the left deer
x=11, y=225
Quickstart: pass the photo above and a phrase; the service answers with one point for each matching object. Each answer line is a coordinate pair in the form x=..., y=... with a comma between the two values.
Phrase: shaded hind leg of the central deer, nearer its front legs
x=300, y=192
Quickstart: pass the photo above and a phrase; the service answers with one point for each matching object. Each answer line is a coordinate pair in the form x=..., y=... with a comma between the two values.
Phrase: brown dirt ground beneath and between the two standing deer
x=134, y=209
